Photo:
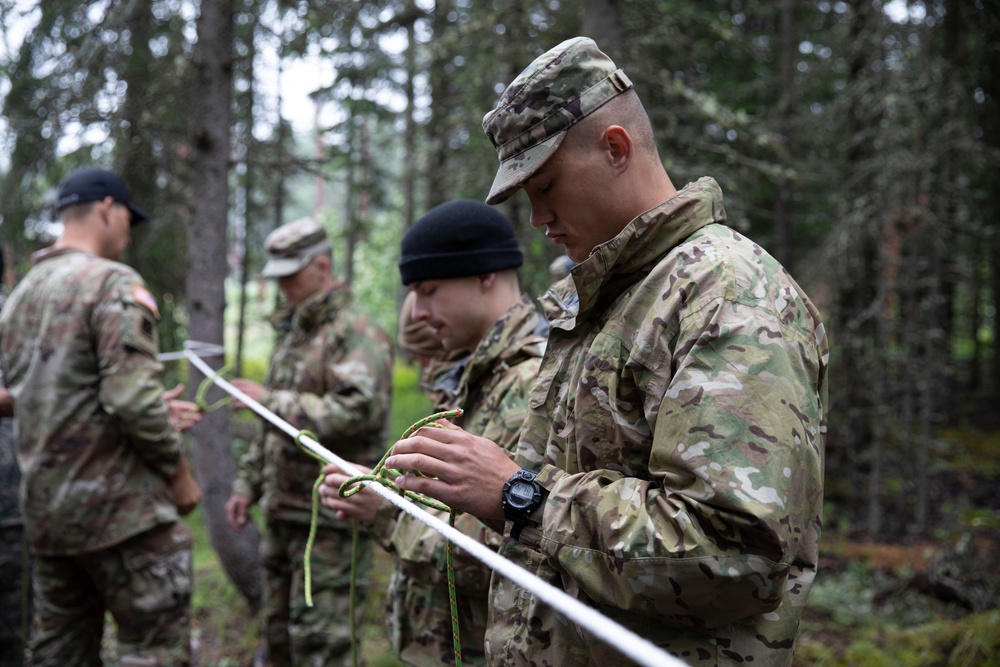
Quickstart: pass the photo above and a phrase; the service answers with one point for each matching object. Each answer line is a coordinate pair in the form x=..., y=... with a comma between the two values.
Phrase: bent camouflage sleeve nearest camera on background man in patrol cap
x=359, y=374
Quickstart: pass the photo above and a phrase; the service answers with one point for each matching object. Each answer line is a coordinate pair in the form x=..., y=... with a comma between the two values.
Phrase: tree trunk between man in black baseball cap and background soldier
x=214, y=465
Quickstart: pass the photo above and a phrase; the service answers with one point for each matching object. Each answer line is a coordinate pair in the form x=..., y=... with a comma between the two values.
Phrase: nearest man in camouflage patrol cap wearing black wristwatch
x=670, y=470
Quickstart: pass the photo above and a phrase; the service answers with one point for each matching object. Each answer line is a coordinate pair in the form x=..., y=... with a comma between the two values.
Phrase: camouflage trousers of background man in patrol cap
x=317, y=636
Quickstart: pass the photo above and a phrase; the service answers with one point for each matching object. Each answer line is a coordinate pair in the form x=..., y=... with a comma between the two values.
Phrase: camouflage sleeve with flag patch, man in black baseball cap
x=124, y=326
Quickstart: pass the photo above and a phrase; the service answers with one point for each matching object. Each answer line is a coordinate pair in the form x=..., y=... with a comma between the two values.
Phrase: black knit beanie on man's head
x=464, y=237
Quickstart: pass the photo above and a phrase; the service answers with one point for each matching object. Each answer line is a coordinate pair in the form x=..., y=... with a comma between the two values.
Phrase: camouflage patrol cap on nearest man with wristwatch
x=558, y=89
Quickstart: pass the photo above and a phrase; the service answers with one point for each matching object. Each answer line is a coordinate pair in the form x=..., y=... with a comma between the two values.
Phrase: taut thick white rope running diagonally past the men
x=637, y=648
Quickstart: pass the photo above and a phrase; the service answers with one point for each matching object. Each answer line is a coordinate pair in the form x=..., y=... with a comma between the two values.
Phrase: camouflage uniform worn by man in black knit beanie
x=493, y=391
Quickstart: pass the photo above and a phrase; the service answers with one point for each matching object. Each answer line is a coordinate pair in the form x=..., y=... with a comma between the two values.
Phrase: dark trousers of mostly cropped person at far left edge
x=15, y=595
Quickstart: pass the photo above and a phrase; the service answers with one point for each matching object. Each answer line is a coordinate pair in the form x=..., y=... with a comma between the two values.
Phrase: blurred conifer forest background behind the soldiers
x=857, y=140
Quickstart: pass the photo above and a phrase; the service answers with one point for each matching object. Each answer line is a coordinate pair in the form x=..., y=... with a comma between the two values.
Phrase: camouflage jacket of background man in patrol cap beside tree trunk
x=330, y=374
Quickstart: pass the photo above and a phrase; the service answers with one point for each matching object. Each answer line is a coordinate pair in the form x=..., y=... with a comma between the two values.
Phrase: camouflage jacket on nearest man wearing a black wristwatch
x=678, y=429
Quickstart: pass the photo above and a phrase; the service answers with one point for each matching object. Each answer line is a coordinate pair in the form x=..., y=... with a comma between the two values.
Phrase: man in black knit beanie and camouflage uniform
x=460, y=262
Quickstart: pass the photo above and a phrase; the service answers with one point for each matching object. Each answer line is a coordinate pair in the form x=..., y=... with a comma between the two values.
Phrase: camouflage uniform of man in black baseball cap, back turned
x=97, y=453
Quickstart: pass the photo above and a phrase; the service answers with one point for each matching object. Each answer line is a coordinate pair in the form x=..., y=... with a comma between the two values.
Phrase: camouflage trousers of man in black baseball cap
x=144, y=582
